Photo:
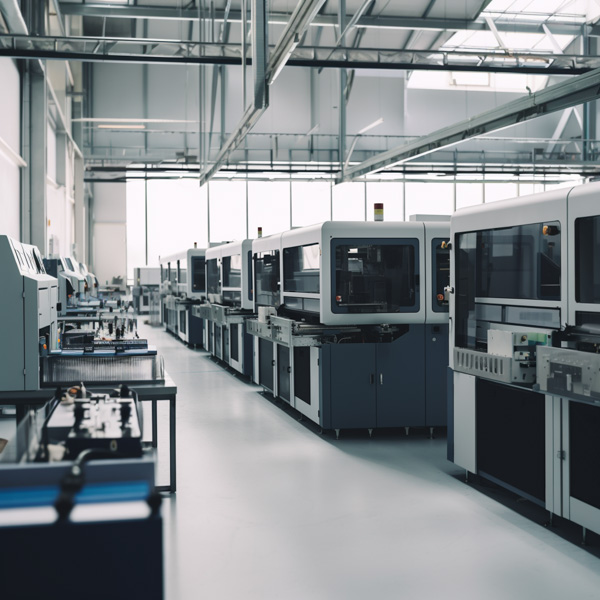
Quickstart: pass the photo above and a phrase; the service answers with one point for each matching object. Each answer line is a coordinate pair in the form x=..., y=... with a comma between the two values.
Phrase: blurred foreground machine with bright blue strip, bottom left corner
x=75, y=480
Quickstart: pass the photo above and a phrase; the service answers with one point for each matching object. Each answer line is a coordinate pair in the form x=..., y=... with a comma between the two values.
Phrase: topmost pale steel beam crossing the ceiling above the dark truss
x=330, y=20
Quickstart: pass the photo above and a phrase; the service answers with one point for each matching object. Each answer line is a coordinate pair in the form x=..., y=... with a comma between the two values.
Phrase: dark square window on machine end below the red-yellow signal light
x=378, y=276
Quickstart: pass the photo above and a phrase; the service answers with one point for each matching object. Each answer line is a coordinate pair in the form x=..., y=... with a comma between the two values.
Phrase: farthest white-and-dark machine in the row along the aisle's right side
x=182, y=286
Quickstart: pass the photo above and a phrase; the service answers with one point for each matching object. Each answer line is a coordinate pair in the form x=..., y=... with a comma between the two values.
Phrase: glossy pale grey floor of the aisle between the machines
x=267, y=509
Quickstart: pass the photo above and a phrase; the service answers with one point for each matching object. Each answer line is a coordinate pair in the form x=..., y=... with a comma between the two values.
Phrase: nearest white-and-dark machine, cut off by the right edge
x=524, y=408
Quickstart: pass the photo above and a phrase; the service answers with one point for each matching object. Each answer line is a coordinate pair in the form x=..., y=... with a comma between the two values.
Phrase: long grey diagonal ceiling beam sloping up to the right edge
x=563, y=95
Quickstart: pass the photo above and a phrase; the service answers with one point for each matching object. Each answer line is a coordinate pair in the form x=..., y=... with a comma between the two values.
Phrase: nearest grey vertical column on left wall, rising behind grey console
x=34, y=141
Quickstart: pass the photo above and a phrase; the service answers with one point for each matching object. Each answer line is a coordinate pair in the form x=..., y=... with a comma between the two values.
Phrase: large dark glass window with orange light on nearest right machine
x=520, y=263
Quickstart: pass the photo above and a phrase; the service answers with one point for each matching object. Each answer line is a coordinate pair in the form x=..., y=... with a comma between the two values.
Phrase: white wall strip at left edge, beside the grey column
x=10, y=176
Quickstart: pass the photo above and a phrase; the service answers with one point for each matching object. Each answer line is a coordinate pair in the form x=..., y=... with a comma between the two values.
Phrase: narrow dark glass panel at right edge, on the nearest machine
x=587, y=261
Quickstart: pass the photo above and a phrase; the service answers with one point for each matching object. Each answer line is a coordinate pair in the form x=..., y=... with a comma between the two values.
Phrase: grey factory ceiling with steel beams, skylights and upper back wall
x=345, y=50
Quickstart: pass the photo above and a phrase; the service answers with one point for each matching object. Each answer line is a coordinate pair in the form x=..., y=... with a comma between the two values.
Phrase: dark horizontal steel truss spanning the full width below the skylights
x=131, y=50
